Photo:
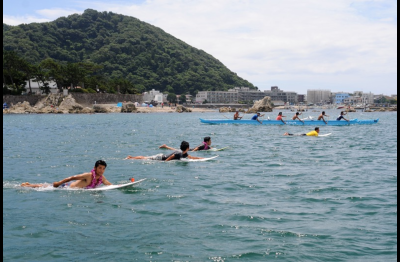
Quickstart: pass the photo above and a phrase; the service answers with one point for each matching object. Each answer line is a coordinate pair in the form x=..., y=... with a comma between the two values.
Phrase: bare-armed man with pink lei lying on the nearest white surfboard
x=90, y=179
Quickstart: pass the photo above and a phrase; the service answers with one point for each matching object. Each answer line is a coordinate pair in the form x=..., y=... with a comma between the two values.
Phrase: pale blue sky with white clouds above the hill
x=336, y=45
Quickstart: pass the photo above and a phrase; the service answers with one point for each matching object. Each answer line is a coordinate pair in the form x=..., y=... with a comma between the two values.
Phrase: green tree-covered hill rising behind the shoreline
x=126, y=48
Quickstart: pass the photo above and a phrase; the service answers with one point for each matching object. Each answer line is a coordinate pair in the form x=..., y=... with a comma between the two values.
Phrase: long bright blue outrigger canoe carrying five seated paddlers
x=293, y=122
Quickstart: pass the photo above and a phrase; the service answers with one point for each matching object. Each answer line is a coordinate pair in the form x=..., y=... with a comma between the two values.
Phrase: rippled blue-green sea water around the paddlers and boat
x=268, y=197
